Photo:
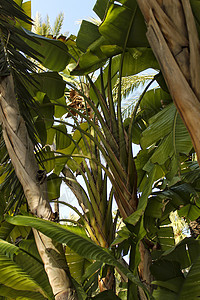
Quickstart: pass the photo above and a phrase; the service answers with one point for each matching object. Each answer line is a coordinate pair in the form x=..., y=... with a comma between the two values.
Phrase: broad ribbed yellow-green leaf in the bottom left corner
x=20, y=271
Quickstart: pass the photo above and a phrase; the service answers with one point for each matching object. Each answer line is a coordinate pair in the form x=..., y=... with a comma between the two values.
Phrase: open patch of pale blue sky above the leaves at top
x=74, y=11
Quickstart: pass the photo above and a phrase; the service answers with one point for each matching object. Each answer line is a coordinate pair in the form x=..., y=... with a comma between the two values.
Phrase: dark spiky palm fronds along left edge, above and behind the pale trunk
x=14, y=60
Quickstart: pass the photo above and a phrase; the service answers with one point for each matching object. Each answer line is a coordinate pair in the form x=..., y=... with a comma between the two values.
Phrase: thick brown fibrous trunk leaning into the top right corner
x=173, y=37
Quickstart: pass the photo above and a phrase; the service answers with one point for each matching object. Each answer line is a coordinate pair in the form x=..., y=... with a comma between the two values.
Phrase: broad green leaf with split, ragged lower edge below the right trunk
x=169, y=136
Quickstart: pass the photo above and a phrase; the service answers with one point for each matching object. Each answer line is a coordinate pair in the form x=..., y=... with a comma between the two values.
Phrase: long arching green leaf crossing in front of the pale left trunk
x=83, y=246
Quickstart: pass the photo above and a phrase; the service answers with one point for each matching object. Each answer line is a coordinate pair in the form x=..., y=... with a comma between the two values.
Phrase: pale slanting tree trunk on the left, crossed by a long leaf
x=21, y=152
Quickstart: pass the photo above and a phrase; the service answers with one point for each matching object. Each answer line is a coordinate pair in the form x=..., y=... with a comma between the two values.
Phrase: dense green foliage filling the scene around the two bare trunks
x=70, y=92
